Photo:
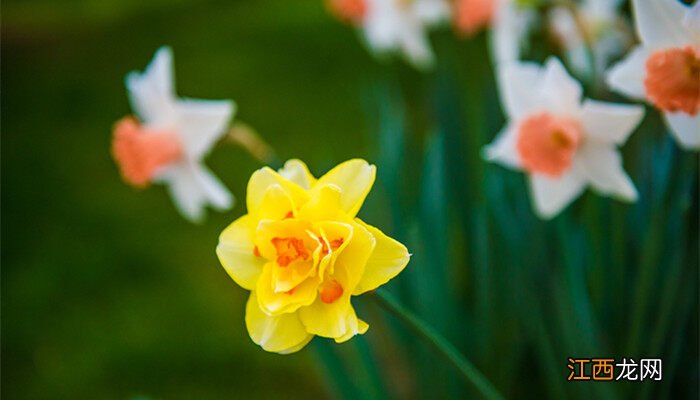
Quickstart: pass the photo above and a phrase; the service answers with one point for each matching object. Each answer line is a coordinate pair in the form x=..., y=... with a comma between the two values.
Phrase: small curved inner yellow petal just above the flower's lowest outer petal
x=278, y=303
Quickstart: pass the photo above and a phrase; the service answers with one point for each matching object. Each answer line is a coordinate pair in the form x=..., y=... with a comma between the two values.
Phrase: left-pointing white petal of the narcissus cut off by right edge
x=627, y=76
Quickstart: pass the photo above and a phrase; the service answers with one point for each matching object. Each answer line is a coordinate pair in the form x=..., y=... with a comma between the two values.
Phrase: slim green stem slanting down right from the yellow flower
x=438, y=343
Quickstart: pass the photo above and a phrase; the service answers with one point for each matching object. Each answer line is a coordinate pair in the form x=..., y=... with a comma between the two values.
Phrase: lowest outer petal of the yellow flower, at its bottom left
x=280, y=334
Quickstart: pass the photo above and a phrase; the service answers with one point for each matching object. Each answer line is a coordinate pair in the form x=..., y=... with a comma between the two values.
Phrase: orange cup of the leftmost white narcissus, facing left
x=140, y=152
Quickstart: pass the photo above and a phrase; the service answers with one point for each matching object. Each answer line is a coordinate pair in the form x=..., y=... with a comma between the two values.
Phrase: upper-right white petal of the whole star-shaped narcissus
x=609, y=122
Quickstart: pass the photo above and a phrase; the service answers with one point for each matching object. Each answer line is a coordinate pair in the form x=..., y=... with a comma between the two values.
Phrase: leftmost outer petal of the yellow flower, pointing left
x=236, y=253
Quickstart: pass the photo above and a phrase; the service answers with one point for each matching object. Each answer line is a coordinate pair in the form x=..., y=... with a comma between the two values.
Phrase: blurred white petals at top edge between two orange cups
x=402, y=26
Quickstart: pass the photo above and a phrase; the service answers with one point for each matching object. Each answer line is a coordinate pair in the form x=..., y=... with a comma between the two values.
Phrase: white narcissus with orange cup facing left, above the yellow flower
x=171, y=136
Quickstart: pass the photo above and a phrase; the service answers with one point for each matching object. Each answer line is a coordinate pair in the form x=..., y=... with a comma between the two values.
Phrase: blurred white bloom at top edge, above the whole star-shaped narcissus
x=603, y=27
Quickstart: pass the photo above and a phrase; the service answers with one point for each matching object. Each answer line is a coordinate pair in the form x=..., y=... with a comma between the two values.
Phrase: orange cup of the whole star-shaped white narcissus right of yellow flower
x=546, y=143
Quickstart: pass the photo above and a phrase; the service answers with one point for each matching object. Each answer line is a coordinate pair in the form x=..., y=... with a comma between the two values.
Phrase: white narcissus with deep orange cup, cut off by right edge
x=665, y=68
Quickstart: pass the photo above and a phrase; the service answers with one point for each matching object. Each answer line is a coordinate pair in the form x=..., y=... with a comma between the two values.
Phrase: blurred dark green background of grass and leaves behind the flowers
x=108, y=293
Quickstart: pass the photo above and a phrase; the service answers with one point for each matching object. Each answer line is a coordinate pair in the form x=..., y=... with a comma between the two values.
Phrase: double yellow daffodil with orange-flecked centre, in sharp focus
x=303, y=254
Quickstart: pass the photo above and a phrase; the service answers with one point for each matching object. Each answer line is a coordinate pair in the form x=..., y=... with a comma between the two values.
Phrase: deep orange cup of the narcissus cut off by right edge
x=673, y=79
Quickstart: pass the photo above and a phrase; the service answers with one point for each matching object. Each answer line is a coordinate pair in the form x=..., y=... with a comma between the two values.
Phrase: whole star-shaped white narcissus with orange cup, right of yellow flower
x=563, y=144
